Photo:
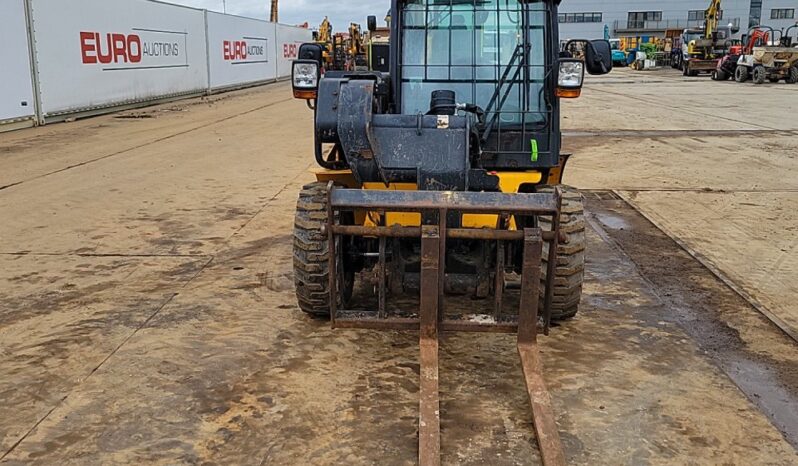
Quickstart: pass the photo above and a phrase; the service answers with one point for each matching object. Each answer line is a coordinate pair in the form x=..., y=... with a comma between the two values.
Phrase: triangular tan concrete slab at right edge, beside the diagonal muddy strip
x=750, y=237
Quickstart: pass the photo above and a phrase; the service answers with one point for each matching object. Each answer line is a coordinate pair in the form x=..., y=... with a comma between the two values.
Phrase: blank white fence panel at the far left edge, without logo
x=16, y=84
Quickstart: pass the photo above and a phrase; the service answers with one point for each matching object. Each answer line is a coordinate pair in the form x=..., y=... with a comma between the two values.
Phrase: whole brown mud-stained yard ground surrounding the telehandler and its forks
x=147, y=310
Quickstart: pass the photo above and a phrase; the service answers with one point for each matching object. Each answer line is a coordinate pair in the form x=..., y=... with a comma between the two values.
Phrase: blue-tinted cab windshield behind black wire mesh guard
x=468, y=46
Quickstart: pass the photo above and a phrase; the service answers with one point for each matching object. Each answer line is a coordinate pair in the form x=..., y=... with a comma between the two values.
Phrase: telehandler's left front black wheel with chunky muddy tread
x=311, y=254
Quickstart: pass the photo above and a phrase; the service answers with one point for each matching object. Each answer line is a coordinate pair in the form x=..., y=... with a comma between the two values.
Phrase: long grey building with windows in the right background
x=653, y=18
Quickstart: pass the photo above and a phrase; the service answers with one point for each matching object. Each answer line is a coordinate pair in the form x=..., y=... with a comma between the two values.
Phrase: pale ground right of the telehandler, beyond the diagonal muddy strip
x=718, y=169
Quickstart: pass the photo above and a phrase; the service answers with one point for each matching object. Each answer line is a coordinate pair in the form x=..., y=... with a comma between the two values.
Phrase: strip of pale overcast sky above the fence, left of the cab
x=340, y=12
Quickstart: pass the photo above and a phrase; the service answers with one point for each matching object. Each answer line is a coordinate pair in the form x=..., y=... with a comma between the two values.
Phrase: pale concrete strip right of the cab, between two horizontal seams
x=741, y=162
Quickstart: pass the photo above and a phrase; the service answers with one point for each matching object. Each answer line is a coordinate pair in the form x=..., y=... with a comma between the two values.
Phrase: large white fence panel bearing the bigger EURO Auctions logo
x=98, y=53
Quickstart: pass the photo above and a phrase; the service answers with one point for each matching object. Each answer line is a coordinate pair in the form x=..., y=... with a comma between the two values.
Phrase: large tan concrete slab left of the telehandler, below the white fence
x=182, y=195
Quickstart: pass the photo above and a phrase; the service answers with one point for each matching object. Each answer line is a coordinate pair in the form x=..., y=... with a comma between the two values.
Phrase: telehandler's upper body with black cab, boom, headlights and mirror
x=491, y=69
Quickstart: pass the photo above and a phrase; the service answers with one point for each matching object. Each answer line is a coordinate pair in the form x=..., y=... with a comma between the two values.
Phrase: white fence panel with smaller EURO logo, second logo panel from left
x=240, y=50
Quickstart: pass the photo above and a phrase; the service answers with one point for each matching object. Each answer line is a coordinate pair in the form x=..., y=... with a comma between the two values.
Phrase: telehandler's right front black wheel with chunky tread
x=570, y=272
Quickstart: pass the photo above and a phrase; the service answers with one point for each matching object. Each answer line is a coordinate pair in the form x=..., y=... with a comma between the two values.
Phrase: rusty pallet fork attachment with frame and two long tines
x=436, y=208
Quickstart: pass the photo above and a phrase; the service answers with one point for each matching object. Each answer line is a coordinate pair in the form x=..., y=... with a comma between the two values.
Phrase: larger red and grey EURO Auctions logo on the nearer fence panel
x=141, y=49
